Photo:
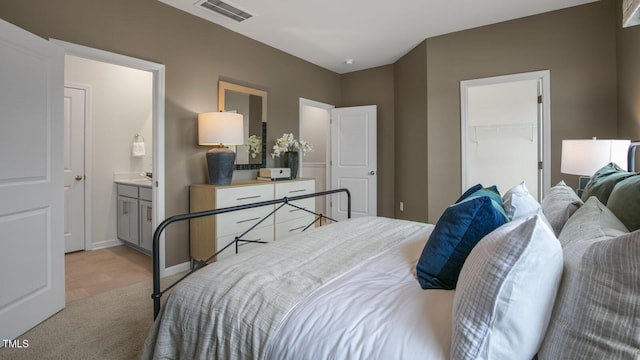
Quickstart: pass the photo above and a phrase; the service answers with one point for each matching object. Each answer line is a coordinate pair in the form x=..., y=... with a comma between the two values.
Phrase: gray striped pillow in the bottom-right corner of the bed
x=597, y=315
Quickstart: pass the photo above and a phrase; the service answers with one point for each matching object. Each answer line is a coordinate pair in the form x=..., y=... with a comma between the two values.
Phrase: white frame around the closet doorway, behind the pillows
x=544, y=130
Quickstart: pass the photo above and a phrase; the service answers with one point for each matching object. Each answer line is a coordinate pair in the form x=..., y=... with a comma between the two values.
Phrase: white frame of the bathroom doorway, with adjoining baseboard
x=158, y=73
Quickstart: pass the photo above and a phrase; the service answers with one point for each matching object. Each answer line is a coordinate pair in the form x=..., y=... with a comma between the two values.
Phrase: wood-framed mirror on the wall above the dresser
x=252, y=104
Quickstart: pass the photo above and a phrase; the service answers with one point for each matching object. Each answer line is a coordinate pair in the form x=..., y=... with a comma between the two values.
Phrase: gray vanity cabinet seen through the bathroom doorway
x=134, y=216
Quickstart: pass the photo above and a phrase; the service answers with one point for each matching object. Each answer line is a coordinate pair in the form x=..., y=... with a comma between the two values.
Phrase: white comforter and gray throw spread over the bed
x=346, y=290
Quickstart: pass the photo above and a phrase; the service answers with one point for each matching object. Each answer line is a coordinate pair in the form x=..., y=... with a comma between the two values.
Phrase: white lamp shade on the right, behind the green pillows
x=585, y=157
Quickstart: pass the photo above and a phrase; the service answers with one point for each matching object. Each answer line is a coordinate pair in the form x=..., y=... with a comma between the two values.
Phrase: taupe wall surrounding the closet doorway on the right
x=577, y=45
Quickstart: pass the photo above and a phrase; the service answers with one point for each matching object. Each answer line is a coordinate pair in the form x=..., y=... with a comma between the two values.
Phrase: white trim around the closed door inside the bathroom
x=87, y=155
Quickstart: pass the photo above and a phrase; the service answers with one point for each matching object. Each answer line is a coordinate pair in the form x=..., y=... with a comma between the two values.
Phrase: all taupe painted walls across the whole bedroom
x=594, y=87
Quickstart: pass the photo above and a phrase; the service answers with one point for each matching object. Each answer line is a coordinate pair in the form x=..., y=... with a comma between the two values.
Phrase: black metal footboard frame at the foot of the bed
x=157, y=292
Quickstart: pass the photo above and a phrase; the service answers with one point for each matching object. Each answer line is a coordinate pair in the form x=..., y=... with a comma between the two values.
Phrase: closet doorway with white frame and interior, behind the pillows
x=505, y=132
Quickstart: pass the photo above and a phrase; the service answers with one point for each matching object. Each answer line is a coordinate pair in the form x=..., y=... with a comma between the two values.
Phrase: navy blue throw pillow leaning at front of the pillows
x=457, y=231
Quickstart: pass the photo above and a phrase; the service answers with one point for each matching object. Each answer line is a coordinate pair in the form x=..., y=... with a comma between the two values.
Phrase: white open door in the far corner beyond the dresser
x=354, y=160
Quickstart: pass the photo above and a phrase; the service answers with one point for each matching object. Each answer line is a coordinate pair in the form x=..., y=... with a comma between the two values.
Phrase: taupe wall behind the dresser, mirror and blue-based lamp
x=196, y=54
